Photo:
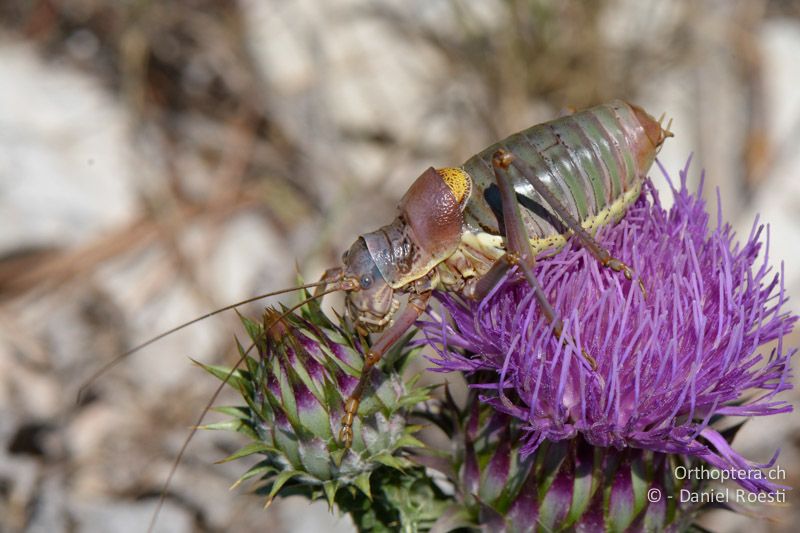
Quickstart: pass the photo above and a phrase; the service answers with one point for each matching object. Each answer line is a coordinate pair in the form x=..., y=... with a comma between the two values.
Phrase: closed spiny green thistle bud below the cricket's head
x=294, y=390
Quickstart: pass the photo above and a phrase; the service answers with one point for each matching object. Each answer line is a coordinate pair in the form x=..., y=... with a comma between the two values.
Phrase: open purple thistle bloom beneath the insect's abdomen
x=691, y=350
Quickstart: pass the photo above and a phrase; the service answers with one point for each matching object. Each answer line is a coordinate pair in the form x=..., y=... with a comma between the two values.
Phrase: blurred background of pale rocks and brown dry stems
x=160, y=159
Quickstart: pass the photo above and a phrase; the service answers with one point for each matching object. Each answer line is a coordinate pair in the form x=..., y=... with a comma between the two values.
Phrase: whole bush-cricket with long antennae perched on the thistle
x=462, y=229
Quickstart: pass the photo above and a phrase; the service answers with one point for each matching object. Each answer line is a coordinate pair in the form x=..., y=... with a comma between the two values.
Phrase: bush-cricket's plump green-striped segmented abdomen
x=593, y=161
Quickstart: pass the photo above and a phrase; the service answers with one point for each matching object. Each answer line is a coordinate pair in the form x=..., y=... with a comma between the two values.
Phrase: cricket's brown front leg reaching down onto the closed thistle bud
x=417, y=303
